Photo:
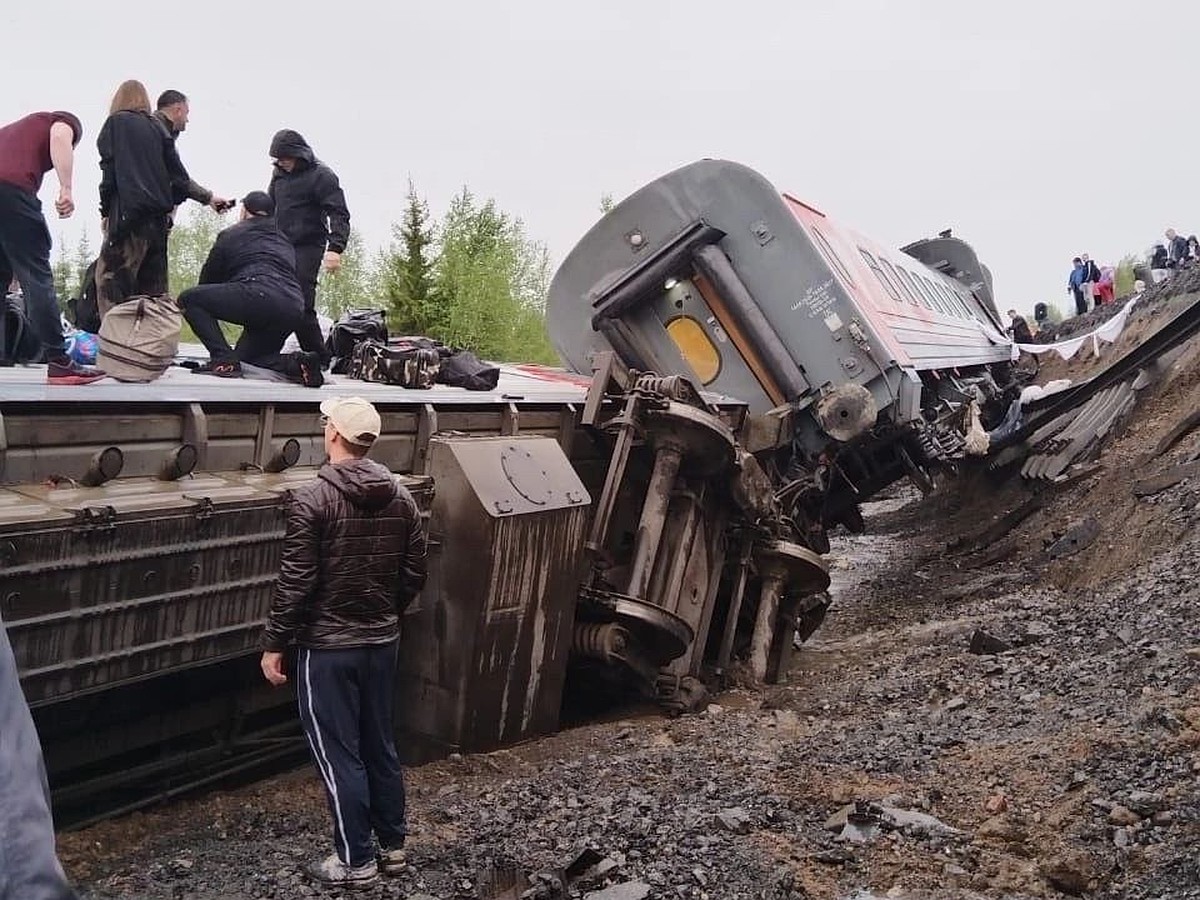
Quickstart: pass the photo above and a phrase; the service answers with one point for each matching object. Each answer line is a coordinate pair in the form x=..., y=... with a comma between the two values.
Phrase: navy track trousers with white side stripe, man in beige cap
x=346, y=701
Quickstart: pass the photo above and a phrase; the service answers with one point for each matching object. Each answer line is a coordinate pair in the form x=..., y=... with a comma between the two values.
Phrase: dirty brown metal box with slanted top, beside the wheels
x=485, y=650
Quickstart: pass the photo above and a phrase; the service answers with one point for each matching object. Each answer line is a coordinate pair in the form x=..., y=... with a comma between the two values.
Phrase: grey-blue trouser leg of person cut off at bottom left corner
x=29, y=866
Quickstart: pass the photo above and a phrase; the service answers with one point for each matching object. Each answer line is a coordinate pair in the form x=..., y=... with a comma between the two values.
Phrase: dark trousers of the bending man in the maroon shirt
x=26, y=247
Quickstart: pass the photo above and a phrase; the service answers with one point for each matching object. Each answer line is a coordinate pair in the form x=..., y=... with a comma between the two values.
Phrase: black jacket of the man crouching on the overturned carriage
x=255, y=251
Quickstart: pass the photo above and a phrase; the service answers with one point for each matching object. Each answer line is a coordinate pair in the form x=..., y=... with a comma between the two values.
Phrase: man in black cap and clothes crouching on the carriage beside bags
x=250, y=280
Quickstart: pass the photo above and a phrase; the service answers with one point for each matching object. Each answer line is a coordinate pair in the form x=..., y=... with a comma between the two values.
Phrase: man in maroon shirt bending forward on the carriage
x=29, y=148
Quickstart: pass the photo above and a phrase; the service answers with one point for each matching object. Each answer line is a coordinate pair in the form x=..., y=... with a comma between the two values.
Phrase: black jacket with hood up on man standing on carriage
x=310, y=206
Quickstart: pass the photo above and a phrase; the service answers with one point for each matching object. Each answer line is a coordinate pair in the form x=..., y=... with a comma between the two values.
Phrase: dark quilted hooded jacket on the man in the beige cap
x=353, y=560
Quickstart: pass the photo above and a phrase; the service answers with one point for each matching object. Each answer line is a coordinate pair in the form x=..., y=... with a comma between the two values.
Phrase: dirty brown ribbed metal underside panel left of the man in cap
x=104, y=586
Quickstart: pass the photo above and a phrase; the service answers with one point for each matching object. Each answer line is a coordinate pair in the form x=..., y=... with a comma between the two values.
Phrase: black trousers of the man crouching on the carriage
x=266, y=319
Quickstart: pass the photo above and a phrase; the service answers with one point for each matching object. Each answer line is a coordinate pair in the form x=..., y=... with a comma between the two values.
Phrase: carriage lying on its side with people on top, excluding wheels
x=141, y=530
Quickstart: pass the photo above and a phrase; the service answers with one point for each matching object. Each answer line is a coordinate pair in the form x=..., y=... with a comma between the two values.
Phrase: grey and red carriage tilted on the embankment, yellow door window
x=859, y=364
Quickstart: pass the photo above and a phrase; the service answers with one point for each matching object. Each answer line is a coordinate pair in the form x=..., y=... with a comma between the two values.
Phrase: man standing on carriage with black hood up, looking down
x=311, y=212
